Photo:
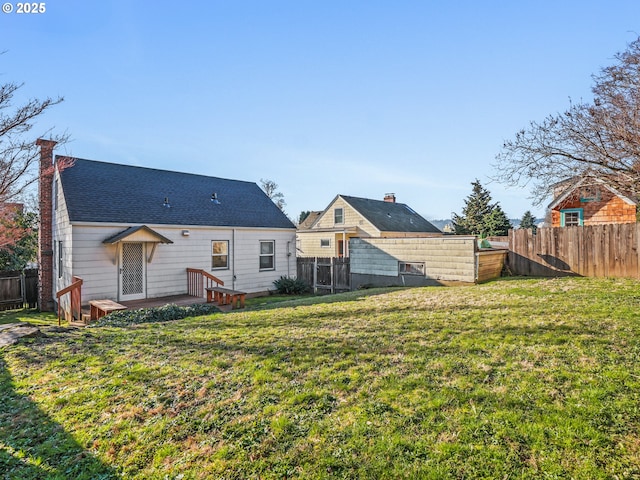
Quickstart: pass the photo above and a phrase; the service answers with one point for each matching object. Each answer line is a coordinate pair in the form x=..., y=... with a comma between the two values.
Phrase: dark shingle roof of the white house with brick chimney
x=108, y=192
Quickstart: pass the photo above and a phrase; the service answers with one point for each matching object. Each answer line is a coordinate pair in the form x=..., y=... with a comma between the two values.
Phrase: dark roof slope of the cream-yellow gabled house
x=390, y=216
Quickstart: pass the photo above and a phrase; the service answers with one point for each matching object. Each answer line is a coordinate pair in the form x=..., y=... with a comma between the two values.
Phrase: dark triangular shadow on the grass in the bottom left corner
x=33, y=446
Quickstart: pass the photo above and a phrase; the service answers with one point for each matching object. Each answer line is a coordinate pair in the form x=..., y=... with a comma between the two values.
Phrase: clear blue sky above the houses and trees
x=323, y=97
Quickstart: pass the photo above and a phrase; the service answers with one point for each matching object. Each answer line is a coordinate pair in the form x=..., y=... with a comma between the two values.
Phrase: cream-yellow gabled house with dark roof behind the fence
x=349, y=217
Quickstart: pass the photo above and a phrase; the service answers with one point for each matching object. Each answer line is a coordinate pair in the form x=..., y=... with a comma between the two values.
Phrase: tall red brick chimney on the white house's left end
x=45, y=238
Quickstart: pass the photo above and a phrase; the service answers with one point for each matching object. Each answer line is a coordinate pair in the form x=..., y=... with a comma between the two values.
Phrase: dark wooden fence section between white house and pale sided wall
x=325, y=273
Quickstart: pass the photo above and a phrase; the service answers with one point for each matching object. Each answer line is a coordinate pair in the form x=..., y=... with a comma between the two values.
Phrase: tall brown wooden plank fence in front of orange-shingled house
x=594, y=251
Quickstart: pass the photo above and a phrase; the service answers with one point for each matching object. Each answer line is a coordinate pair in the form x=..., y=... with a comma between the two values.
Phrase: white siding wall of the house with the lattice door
x=98, y=263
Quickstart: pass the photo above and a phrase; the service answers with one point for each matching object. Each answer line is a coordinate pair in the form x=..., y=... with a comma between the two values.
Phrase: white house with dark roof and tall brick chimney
x=131, y=232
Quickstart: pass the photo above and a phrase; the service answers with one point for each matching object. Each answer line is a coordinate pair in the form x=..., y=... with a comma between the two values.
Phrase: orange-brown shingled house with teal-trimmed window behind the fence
x=589, y=200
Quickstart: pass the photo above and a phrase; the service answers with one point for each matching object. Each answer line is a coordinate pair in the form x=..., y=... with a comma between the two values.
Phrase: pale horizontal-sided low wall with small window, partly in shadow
x=445, y=258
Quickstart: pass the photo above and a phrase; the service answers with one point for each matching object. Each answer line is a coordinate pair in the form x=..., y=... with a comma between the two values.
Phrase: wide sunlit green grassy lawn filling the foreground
x=518, y=378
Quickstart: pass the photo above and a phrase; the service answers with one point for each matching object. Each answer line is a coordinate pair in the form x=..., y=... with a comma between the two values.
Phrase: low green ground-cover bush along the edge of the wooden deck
x=156, y=314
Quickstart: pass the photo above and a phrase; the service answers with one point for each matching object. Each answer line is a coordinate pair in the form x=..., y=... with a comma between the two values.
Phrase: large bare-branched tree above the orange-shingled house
x=601, y=138
